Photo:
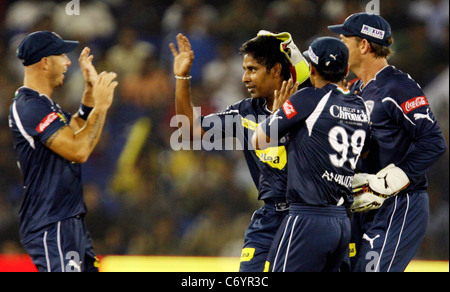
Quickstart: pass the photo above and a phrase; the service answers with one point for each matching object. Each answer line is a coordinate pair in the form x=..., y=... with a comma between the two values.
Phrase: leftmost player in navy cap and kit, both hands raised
x=50, y=145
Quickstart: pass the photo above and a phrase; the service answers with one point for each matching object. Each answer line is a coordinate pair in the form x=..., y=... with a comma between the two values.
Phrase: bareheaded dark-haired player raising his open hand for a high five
x=268, y=60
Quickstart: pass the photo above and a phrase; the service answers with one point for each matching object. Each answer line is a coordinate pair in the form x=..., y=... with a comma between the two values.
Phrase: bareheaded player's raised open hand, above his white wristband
x=183, y=58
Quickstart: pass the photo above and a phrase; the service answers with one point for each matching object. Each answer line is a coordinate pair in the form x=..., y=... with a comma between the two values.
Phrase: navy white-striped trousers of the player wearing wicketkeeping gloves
x=385, y=240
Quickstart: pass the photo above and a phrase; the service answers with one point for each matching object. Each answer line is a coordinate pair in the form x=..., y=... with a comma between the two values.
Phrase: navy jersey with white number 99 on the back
x=327, y=129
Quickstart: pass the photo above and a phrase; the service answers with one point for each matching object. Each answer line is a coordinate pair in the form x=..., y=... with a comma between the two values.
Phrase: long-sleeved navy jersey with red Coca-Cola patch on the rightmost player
x=404, y=130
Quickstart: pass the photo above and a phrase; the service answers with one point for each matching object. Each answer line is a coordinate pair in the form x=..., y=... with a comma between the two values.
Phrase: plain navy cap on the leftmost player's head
x=40, y=44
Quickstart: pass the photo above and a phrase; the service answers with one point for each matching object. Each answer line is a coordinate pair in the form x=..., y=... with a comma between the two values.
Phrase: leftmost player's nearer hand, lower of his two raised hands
x=103, y=90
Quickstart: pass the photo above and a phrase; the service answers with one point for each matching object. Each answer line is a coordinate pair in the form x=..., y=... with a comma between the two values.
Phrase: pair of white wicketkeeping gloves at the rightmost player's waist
x=370, y=191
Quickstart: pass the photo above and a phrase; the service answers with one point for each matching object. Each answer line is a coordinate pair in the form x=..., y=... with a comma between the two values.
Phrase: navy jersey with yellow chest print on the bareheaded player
x=267, y=167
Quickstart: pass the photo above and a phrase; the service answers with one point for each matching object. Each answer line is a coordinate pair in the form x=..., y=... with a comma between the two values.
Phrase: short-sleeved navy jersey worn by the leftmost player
x=52, y=189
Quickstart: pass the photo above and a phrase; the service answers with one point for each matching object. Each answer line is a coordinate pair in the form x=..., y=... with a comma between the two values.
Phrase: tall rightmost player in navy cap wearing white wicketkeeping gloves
x=406, y=142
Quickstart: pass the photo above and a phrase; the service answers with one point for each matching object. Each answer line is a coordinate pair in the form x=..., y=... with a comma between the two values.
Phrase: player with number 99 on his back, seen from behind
x=327, y=127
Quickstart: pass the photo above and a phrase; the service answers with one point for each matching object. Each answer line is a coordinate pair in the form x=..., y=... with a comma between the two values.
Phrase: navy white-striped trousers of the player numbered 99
x=311, y=239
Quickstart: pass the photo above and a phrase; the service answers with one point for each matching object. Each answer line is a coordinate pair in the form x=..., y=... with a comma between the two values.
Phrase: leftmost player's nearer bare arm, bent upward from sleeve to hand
x=76, y=145
